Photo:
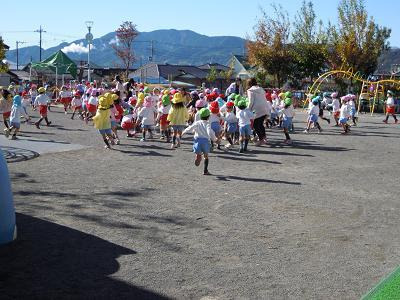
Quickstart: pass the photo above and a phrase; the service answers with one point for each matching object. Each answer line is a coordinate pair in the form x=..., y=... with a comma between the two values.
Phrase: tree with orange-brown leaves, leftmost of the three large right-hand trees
x=270, y=49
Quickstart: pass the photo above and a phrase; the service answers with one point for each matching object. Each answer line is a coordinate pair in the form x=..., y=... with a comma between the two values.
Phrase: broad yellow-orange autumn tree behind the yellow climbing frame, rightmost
x=357, y=41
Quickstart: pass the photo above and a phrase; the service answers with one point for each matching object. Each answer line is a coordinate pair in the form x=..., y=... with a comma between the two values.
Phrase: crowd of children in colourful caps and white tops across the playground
x=210, y=115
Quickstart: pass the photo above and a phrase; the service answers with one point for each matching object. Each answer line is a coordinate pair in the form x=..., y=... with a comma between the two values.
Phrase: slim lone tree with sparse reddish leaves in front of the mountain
x=125, y=35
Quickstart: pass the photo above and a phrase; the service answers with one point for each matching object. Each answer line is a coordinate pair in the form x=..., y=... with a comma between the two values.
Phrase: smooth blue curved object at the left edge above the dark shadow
x=7, y=210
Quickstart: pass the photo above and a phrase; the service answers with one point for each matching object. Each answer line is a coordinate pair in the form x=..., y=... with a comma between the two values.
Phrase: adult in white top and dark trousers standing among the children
x=258, y=105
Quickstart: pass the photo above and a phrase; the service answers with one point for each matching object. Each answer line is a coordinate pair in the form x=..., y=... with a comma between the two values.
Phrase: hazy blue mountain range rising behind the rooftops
x=169, y=46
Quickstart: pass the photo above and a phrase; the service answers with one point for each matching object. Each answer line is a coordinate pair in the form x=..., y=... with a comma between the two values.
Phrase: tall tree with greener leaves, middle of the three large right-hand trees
x=309, y=44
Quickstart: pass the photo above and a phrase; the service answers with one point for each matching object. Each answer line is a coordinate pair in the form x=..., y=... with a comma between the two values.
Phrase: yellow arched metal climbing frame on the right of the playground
x=370, y=90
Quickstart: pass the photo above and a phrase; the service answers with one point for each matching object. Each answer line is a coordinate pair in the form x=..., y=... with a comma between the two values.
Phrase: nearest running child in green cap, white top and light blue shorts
x=203, y=135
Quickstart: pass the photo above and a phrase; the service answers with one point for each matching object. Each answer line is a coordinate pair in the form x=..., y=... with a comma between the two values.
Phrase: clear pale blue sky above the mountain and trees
x=209, y=17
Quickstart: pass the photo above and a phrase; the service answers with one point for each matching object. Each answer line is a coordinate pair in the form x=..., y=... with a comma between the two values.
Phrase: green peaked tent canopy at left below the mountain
x=59, y=61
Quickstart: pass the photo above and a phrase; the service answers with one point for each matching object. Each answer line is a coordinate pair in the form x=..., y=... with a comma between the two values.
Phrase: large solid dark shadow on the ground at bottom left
x=50, y=261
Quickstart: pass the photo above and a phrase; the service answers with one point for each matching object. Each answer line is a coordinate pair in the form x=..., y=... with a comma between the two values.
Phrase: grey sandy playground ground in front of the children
x=315, y=220
